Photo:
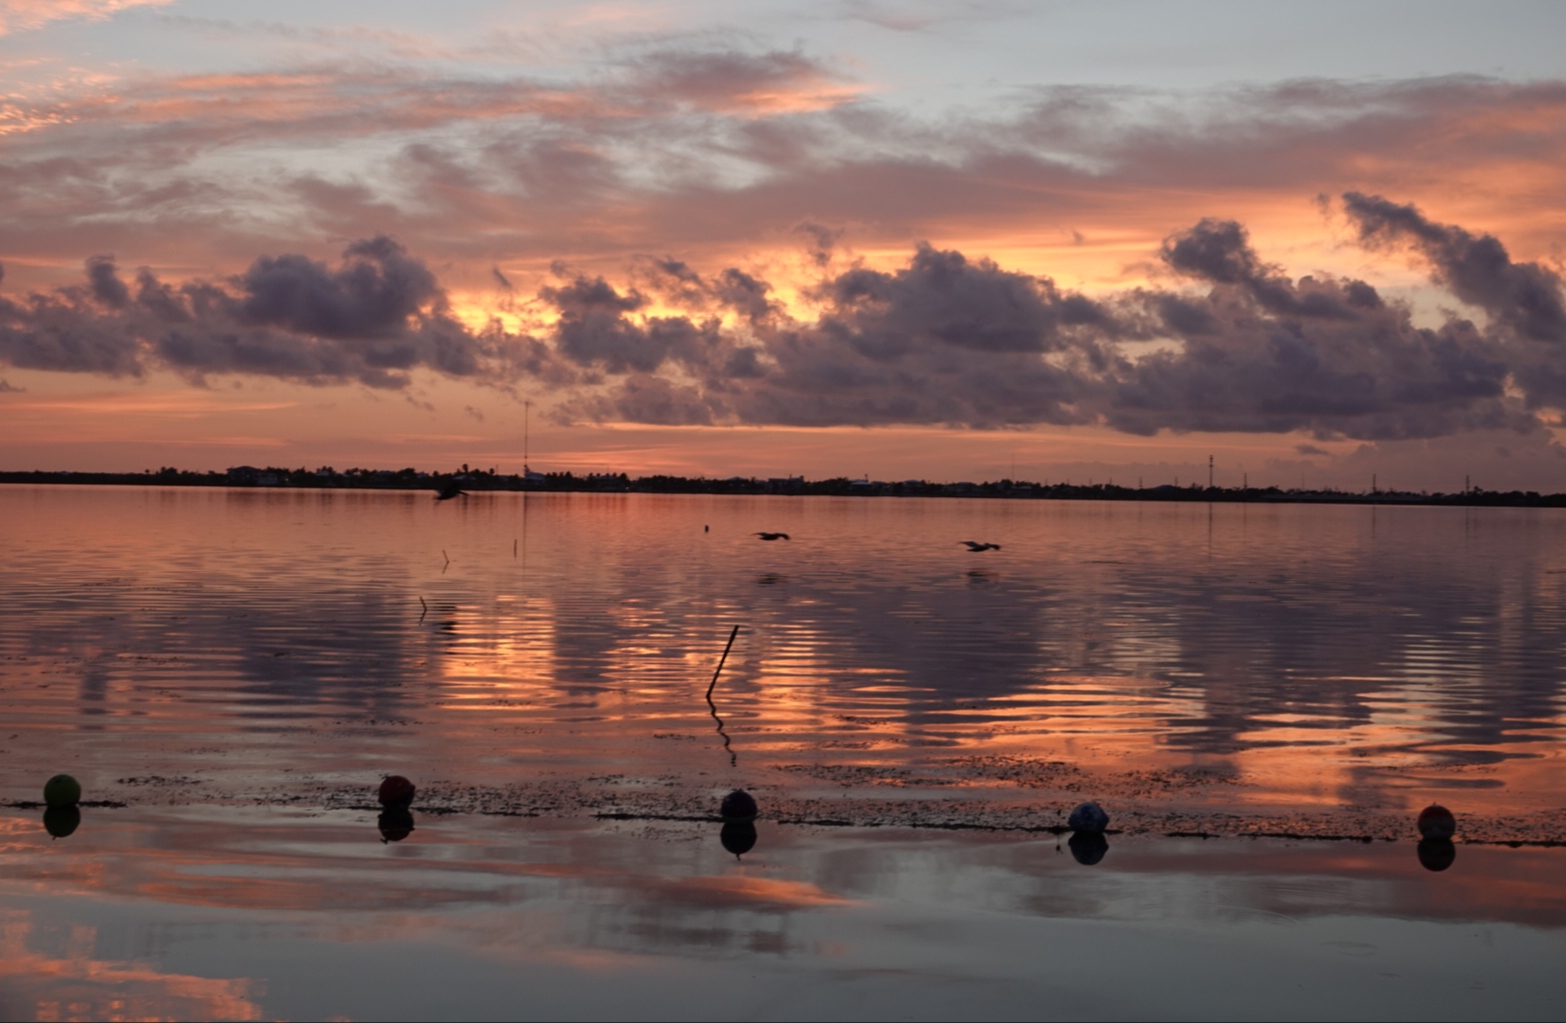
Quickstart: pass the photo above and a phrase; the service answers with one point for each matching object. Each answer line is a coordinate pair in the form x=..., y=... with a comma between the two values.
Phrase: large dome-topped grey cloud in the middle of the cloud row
x=942, y=341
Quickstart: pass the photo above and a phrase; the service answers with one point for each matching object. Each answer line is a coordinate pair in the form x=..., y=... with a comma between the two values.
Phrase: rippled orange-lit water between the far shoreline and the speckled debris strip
x=1322, y=656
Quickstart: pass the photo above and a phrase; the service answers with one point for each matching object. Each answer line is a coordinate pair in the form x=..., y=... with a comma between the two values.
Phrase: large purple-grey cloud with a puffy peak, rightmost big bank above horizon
x=1266, y=353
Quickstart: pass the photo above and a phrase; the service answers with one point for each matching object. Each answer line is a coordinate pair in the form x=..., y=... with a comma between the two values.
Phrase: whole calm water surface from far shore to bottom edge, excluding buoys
x=242, y=667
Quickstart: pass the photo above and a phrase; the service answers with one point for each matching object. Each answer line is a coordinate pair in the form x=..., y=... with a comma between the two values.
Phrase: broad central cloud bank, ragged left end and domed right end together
x=940, y=341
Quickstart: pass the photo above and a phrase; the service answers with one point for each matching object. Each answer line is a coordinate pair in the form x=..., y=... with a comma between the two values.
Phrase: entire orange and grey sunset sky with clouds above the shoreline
x=912, y=240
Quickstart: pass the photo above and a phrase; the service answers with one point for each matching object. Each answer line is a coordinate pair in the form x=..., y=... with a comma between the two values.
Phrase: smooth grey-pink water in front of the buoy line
x=281, y=914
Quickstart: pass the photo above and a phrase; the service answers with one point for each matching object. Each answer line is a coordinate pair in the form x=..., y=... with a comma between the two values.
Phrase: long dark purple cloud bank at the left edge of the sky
x=373, y=319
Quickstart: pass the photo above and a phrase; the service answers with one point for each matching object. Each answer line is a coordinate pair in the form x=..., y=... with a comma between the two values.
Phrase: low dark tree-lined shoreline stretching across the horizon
x=478, y=482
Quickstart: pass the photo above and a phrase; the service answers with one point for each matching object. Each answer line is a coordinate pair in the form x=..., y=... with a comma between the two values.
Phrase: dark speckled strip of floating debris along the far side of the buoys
x=994, y=793
